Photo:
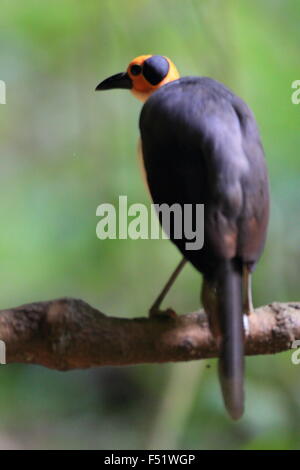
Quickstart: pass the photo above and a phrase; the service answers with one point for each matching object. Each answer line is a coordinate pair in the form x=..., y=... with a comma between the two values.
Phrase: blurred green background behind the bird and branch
x=65, y=149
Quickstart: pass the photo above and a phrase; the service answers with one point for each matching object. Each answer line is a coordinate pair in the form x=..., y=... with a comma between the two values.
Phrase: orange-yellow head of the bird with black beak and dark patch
x=144, y=75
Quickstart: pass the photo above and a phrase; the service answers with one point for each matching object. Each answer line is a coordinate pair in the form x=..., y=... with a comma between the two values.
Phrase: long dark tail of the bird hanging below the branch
x=231, y=362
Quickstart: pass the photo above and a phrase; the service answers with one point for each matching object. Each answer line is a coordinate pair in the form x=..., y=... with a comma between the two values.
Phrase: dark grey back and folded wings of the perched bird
x=201, y=145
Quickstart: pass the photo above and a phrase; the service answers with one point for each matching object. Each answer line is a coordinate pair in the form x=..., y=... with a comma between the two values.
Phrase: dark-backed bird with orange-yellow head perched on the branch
x=200, y=144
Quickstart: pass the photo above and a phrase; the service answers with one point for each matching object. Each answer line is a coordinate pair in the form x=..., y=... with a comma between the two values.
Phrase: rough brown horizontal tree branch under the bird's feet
x=68, y=334
